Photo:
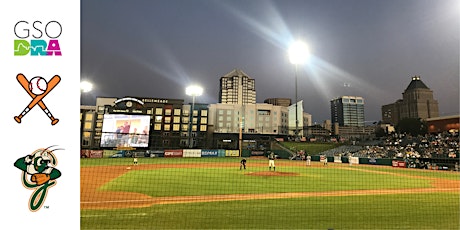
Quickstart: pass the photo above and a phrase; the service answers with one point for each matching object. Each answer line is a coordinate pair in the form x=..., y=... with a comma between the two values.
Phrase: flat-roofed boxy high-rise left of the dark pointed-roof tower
x=348, y=111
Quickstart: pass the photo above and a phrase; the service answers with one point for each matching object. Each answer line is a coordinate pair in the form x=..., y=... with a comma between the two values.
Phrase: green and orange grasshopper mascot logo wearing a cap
x=39, y=174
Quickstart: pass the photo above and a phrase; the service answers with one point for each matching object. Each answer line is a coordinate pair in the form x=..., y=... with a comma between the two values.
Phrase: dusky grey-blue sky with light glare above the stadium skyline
x=367, y=48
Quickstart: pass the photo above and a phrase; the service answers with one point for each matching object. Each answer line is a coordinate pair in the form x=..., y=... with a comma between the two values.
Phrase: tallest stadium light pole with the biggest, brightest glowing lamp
x=298, y=54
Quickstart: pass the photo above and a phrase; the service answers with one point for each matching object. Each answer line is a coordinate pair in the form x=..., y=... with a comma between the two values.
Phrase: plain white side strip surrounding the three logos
x=35, y=131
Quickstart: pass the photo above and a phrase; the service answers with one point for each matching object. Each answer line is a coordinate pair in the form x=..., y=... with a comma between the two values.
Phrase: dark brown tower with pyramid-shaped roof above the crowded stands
x=417, y=102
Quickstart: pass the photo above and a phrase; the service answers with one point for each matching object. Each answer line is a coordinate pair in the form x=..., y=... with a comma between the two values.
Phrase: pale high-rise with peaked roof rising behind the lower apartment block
x=237, y=87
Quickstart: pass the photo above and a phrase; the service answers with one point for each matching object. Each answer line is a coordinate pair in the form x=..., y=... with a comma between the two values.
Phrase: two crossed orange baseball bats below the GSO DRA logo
x=37, y=99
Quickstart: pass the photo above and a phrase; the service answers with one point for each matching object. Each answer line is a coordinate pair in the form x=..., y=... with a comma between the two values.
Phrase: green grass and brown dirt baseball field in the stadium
x=213, y=193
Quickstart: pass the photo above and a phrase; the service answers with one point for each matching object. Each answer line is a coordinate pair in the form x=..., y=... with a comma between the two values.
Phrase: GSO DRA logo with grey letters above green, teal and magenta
x=37, y=38
